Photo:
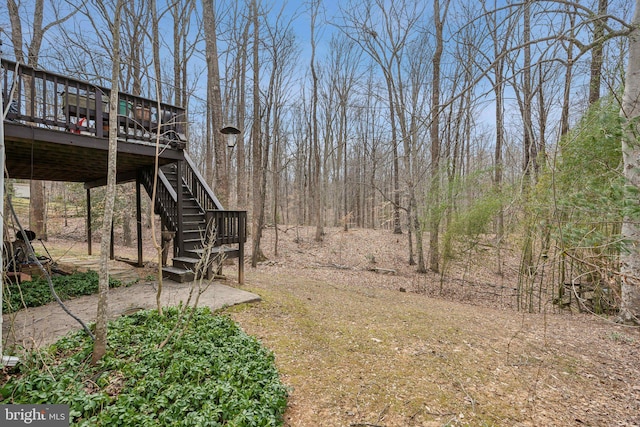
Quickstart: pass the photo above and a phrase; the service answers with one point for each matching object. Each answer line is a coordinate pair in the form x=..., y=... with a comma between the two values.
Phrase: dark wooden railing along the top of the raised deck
x=42, y=98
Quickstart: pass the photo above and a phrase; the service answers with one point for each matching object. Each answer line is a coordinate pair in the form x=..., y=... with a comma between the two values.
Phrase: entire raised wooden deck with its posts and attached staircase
x=52, y=120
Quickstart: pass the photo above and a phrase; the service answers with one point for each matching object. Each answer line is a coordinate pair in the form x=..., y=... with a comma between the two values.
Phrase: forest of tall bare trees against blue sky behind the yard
x=446, y=121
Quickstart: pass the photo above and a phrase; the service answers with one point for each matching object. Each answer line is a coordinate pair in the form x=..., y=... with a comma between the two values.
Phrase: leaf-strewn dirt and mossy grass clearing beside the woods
x=363, y=340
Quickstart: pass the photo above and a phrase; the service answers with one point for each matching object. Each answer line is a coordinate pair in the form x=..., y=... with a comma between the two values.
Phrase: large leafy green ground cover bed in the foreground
x=209, y=374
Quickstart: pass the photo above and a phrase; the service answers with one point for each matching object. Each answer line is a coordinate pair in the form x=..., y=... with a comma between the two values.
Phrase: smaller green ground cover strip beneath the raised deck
x=36, y=292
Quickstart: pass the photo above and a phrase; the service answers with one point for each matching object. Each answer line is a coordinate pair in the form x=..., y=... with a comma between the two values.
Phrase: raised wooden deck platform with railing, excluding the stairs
x=56, y=128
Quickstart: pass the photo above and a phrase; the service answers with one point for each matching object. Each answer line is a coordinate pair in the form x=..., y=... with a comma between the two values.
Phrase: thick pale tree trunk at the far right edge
x=630, y=258
